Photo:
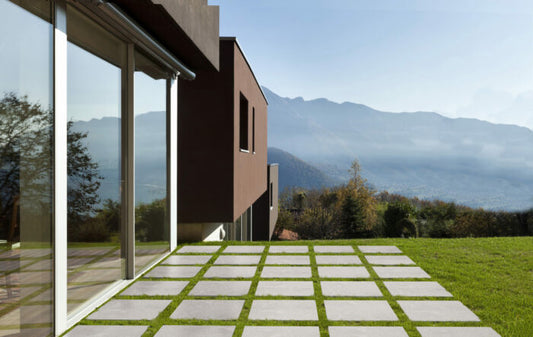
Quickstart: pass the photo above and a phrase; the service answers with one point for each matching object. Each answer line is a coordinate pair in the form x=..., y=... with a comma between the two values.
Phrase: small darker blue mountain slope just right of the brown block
x=294, y=172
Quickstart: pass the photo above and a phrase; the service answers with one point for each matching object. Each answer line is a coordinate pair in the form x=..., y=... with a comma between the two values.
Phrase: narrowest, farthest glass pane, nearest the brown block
x=151, y=220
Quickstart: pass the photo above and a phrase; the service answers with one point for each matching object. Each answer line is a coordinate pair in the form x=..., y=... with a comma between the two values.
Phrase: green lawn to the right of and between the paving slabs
x=491, y=276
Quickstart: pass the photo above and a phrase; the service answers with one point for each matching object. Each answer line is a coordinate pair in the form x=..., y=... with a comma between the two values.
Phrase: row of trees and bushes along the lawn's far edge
x=354, y=210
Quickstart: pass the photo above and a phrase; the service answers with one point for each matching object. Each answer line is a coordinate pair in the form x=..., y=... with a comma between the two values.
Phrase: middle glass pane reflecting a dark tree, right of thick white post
x=95, y=259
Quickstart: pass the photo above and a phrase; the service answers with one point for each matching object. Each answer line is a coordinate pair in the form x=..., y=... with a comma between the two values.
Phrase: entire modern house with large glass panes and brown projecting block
x=90, y=181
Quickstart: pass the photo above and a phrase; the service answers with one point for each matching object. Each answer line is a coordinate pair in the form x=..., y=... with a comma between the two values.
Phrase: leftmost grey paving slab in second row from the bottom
x=130, y=309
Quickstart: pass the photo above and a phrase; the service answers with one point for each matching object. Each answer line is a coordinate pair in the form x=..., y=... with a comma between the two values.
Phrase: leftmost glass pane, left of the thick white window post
x=26, y=116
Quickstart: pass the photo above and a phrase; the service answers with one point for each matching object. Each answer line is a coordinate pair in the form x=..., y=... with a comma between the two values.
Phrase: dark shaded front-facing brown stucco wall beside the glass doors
x=205, y=152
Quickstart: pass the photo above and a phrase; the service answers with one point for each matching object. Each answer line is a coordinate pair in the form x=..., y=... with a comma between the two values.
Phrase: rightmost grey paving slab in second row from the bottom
x=437, y=311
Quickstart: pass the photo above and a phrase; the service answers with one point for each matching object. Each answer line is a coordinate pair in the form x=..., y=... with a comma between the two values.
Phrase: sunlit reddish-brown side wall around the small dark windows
x=250, y=169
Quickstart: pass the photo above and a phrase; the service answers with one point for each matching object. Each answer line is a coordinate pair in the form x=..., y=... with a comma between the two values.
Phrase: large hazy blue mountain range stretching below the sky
x=419, y=154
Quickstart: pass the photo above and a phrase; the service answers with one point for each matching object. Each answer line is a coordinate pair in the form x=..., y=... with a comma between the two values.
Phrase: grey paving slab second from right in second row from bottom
x=359, y=311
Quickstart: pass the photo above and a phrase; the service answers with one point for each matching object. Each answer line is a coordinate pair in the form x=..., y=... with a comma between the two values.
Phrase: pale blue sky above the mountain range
x=460, y=58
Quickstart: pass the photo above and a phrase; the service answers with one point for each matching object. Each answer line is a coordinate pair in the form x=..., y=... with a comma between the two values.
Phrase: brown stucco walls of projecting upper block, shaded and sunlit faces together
x=217, y=182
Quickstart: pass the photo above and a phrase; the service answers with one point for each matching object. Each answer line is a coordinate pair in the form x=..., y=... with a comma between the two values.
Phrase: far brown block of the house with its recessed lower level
x=222, y=170
